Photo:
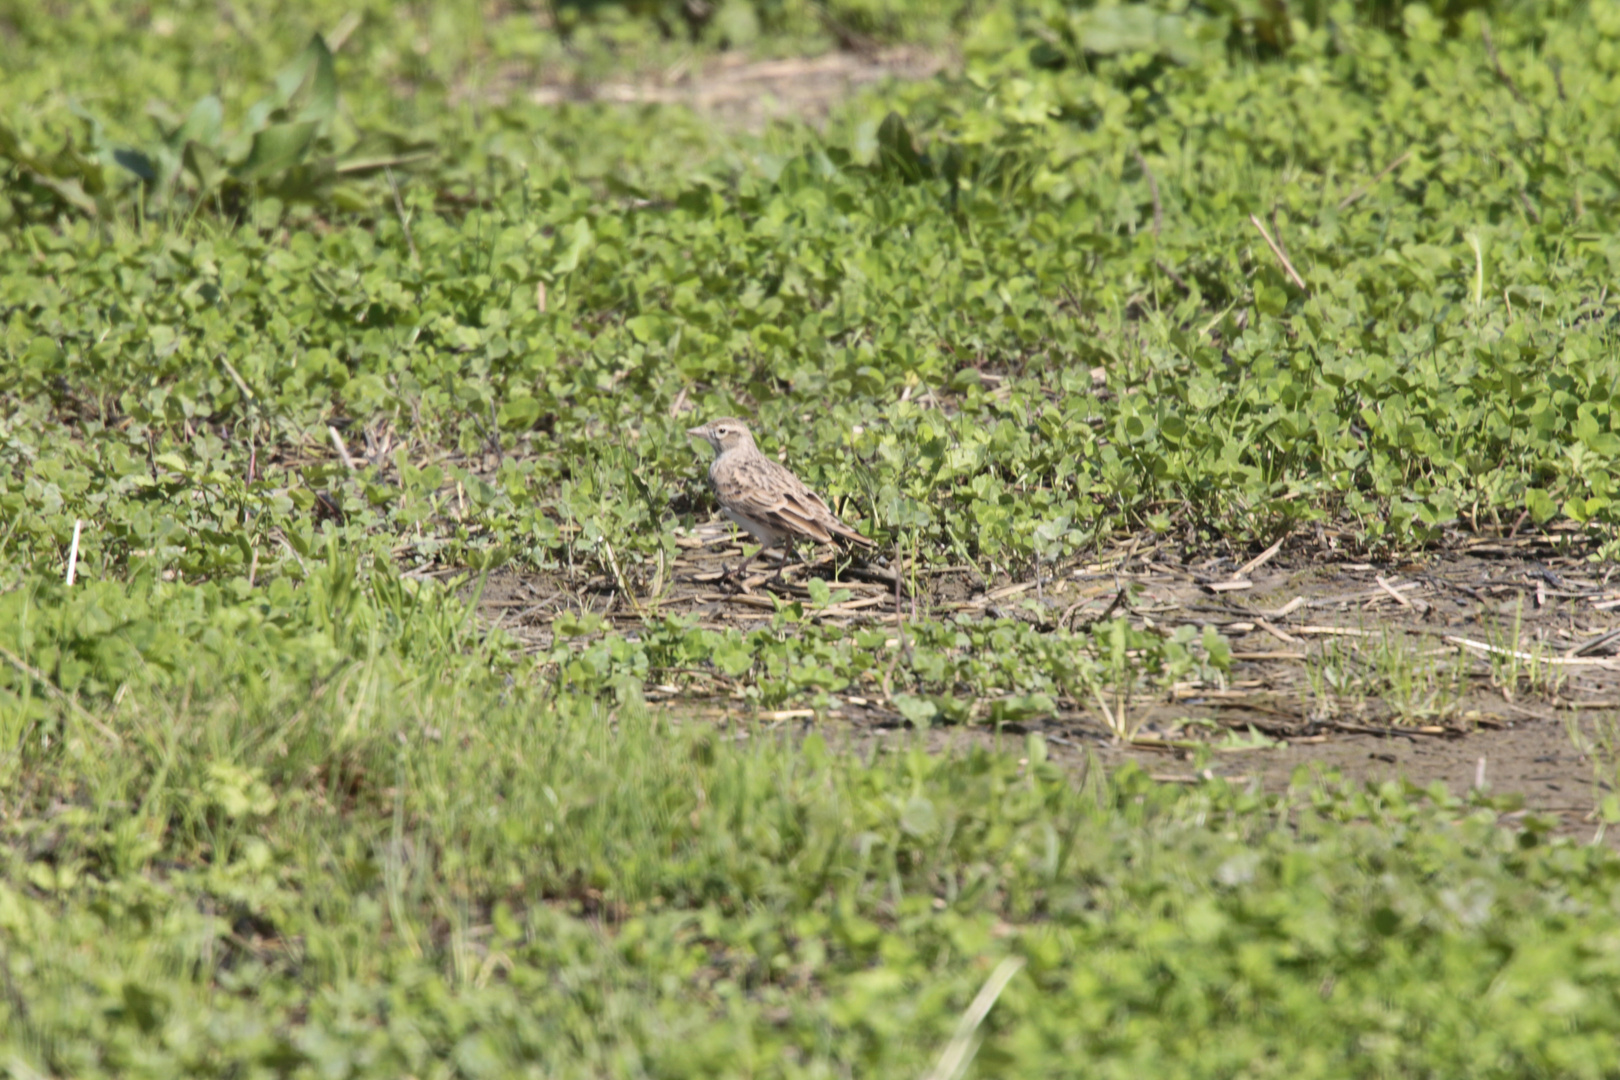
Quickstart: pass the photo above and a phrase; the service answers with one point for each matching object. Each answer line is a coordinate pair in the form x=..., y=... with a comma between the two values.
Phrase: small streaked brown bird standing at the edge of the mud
x=764, y=498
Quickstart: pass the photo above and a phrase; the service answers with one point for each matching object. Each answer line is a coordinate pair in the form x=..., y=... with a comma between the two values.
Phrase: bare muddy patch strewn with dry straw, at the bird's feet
x=1464, y=666
